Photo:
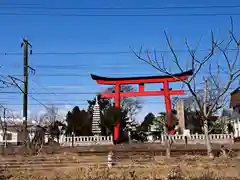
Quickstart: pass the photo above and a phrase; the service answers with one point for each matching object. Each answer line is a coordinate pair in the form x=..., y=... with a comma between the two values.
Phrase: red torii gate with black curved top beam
x=166, y=91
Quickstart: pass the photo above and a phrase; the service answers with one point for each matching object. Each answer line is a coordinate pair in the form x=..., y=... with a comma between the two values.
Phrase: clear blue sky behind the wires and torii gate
x=49, y=34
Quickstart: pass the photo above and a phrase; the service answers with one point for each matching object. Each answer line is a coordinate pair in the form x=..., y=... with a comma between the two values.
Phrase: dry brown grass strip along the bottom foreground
x=185, y=167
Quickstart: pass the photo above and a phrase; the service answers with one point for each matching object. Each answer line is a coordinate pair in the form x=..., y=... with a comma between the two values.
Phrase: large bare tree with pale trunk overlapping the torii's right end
x=197, y=64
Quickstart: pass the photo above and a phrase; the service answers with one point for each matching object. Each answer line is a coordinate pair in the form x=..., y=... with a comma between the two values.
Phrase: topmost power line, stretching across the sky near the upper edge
x=32, y=7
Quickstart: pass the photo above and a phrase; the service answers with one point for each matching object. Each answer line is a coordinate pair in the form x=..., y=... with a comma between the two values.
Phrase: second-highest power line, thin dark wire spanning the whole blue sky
x=120, y=15
